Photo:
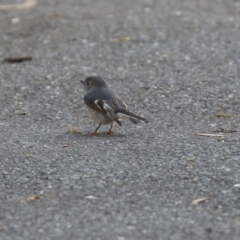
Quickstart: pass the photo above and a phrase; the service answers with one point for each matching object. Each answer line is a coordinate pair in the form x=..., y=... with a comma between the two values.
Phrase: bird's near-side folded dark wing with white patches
x=102, y=106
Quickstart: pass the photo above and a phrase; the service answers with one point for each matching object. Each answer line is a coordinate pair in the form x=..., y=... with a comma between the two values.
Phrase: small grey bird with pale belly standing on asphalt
x=104, y=105
